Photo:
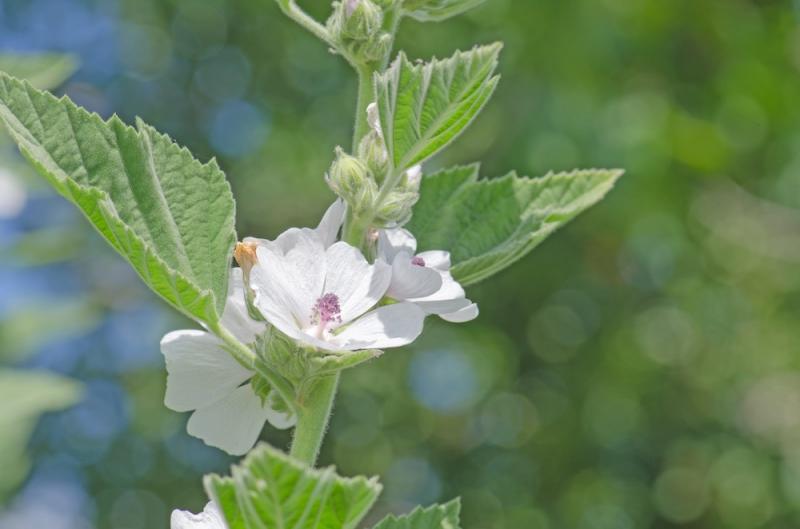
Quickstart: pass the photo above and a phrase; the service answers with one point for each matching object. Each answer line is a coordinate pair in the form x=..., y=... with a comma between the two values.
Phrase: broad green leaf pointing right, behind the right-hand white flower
x=489, y=224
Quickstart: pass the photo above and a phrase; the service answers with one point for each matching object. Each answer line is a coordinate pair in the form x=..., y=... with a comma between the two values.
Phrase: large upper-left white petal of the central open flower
x=289, y=277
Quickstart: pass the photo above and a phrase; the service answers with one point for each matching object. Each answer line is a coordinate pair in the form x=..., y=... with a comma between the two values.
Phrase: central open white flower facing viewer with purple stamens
x=321, y=294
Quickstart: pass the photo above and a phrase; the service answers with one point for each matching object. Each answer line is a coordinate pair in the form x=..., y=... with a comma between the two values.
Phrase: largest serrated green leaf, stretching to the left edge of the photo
x=169, y=215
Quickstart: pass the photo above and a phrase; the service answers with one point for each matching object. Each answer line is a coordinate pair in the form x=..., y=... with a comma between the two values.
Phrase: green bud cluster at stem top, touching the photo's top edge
x=357, y=28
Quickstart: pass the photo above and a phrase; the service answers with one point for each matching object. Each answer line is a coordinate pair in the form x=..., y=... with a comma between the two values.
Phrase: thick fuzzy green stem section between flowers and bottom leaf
x=313, y=414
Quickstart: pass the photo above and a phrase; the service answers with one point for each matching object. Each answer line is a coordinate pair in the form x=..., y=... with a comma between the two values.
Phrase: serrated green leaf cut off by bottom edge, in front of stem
x=270, y=490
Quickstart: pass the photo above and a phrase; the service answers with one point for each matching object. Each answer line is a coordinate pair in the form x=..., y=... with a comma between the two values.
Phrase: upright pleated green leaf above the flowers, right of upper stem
x=424, y=107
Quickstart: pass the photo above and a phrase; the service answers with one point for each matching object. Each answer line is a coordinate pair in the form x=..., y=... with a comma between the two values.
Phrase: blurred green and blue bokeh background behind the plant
x=639, y=370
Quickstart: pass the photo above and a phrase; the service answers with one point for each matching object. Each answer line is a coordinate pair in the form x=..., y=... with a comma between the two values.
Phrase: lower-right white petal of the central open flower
x=390, y=326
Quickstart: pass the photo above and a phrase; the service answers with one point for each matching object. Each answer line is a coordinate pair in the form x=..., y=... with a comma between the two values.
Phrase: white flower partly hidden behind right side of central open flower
x=423, y=279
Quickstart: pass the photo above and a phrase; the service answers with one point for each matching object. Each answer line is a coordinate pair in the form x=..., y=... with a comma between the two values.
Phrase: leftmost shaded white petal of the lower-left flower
x=199, y=371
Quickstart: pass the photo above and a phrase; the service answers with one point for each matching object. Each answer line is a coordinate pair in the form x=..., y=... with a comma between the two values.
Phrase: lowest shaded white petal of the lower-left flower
x=232, y=424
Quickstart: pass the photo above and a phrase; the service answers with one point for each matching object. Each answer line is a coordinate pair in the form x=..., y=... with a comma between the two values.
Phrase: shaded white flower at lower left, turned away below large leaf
x=203, y=377
